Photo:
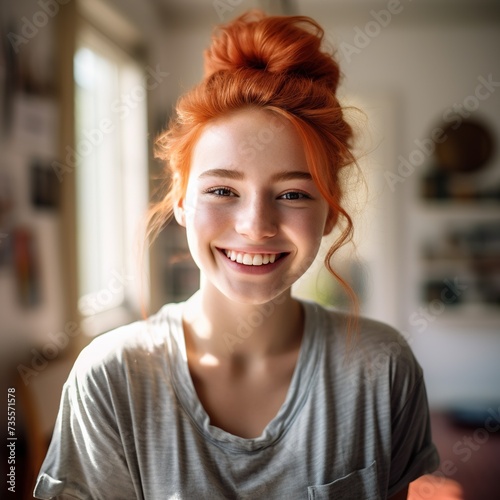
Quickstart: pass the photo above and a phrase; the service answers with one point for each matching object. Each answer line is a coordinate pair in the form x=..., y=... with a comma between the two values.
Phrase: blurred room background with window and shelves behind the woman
x=86, y=86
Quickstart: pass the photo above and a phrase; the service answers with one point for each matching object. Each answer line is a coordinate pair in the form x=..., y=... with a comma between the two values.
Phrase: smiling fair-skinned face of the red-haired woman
x=253, y=215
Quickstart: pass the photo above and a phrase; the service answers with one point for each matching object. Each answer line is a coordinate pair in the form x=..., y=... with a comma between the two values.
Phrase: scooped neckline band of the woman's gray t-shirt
x=302, y=379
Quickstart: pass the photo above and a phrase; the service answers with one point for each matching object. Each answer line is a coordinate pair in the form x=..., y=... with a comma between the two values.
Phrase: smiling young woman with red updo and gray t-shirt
x=244, y=391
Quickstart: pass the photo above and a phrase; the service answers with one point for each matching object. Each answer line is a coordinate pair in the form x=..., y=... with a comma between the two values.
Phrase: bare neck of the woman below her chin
x=222, y=329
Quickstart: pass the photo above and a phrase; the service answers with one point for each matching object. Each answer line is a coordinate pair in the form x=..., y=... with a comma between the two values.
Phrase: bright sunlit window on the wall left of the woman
x=111, y=158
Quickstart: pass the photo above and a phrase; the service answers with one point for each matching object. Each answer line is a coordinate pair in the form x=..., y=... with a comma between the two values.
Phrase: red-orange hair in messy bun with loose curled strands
x=274, y=63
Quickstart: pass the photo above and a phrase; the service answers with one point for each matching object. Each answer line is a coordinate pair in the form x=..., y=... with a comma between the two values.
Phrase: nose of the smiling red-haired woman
x=257, y=219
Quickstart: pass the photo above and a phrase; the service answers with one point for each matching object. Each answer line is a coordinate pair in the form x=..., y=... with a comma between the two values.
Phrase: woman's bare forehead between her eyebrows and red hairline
x=249, y=140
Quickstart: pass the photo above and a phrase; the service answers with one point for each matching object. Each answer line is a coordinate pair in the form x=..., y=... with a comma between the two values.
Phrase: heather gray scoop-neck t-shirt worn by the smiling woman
x=353, y=426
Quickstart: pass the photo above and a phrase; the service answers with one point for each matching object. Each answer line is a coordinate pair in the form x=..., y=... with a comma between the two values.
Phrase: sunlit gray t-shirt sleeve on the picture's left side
x=86, y=456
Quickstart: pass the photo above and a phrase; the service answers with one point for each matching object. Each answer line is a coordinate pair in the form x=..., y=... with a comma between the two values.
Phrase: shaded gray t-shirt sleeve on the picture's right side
x=413, y=452
